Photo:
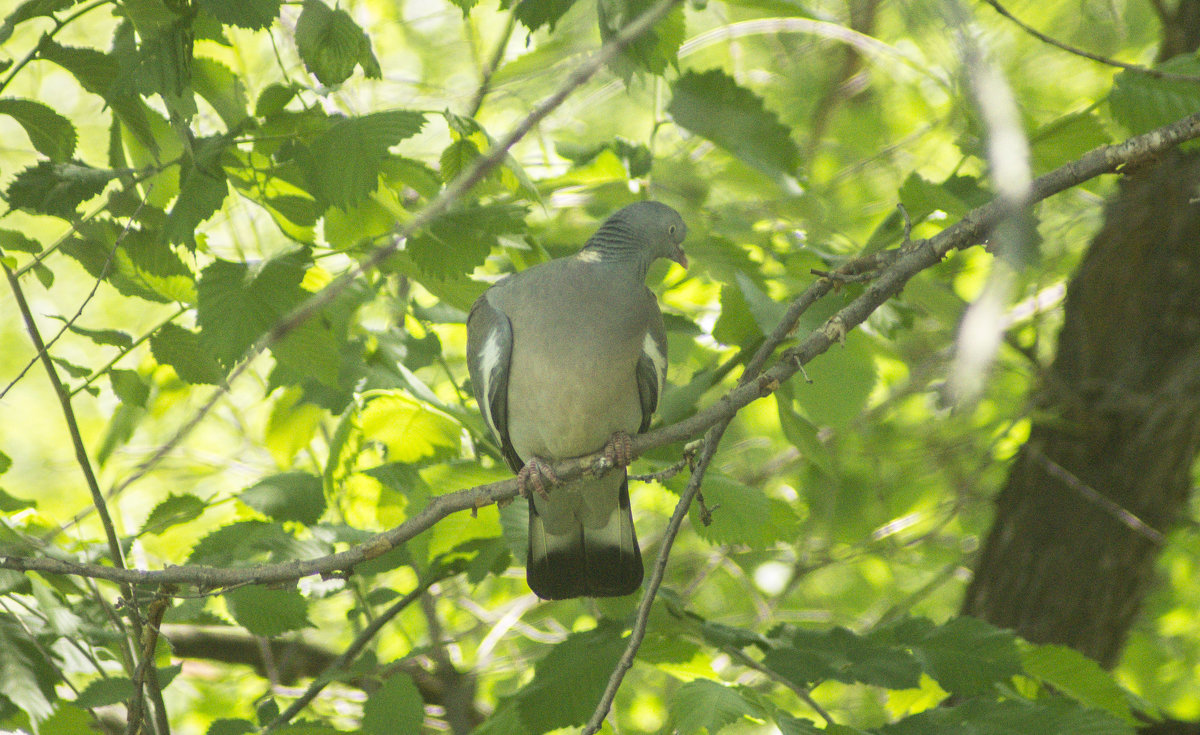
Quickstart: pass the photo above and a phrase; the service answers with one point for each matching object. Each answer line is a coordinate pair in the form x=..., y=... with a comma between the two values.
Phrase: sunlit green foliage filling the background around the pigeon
x=205, y=204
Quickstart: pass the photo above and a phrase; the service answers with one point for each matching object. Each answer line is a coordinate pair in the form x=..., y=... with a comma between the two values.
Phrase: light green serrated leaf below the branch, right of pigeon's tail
x=741, y=516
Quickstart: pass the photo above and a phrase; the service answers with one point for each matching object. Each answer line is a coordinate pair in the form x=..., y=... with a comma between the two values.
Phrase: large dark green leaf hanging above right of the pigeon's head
x=712, y=105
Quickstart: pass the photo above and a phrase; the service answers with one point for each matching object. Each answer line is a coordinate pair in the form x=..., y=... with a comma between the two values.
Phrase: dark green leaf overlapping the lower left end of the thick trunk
x=968, y=656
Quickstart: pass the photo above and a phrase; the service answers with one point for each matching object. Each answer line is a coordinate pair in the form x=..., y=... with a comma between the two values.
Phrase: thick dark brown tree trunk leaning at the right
x=1107, y=470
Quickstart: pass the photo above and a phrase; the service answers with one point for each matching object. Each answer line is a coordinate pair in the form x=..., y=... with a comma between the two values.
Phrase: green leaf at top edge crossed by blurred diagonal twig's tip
x=653, y=51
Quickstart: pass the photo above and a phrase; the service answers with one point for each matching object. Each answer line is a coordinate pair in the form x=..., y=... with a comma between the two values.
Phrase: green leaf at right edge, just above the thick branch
x=1142, y=103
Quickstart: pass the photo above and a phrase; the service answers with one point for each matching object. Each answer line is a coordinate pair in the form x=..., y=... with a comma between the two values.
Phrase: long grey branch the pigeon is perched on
x=901, y=266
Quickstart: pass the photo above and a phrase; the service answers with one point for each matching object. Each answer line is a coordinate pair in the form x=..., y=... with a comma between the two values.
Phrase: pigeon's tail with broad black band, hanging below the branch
x=585, y=563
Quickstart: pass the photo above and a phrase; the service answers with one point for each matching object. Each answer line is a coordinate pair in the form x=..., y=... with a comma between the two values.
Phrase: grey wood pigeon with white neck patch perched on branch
x=568, y=358
